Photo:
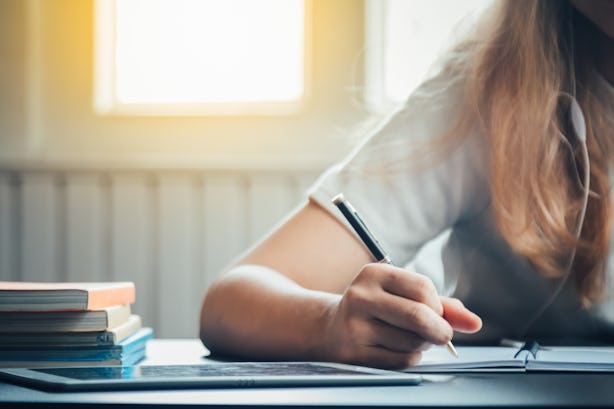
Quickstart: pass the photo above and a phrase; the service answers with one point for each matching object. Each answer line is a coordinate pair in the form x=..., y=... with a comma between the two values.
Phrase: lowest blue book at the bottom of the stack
x=132, y=345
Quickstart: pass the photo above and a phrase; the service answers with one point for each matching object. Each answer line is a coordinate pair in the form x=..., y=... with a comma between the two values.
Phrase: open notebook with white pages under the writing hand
x=529, y=357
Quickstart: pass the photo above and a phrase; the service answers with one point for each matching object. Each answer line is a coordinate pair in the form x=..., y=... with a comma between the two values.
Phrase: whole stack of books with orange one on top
x=69, y=324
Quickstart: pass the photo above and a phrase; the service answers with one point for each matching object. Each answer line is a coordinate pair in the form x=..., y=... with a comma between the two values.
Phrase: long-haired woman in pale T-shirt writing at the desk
x=484, y=168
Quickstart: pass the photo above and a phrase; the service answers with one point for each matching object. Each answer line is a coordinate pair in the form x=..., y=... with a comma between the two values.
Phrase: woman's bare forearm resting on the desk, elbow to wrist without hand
x=256, y=312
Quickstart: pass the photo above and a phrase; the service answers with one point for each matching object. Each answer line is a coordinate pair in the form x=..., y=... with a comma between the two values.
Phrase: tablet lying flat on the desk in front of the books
x=209, y=375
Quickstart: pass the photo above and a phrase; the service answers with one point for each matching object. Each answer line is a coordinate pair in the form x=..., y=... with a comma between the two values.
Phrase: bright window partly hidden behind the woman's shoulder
x=403, y=39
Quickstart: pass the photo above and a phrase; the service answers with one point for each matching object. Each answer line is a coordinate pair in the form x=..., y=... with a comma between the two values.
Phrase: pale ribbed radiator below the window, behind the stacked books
x=171, y=232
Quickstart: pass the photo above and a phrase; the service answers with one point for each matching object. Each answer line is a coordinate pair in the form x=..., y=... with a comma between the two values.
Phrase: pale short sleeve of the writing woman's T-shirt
x=406, y=189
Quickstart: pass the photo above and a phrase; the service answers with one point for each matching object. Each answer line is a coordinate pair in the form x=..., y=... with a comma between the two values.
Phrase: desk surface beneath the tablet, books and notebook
x=466, y=390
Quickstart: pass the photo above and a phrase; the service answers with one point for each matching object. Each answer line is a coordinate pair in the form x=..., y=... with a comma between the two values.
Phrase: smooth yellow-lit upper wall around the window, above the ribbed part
x=52, y=49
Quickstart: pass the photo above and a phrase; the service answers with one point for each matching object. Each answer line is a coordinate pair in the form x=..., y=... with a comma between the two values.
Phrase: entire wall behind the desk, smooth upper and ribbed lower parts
x=164, y=201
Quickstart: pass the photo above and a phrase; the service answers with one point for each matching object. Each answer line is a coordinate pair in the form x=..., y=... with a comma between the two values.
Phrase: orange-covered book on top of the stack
x=57, y=296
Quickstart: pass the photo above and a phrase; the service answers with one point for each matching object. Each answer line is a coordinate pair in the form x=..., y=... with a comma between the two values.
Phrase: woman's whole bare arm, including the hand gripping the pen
x=310, y=291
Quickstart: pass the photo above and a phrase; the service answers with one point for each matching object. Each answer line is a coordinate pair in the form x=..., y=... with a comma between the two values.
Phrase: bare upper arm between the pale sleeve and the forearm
x=313, y=249
